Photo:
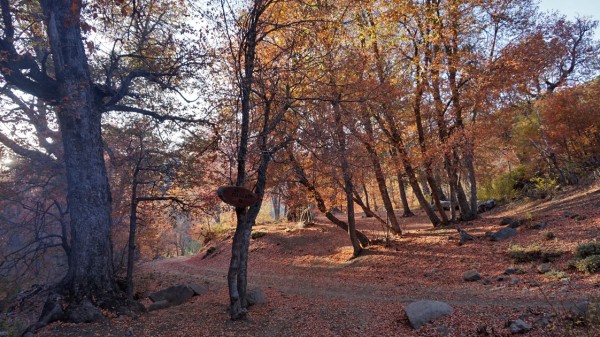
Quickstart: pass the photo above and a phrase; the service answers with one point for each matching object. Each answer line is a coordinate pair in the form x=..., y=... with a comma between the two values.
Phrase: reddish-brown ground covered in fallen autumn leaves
x=312, y=289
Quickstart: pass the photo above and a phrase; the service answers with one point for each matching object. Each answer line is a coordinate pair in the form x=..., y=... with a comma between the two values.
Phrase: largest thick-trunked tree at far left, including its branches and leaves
x=56, y=70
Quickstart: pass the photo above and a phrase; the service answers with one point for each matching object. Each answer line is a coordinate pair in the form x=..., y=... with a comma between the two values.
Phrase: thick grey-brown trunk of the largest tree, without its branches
x=90, y=275
